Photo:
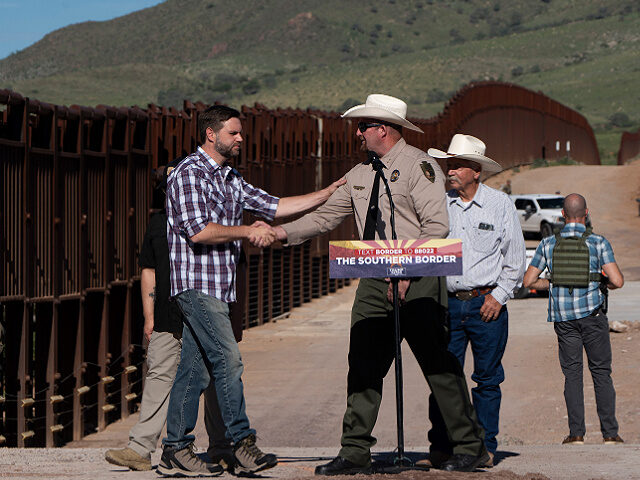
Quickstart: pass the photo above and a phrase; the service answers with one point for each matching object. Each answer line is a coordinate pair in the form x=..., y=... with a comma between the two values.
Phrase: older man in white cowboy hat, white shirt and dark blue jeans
x=493, y=261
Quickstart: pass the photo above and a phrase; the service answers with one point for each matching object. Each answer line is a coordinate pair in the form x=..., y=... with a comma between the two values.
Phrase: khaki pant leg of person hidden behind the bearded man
x=163, y=356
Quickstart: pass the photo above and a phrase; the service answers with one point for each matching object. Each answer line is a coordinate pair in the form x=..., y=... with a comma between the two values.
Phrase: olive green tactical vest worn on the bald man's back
x=570, y=262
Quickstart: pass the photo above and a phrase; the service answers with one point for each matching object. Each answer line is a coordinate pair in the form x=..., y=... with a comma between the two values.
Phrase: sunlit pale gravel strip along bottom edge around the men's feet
x=524, y=462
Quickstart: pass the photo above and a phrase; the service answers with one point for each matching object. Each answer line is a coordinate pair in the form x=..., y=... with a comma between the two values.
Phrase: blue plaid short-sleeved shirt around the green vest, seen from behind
x=564, y=306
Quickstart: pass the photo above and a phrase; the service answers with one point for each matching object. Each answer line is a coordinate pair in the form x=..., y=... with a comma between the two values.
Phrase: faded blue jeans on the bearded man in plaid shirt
x=208, y=349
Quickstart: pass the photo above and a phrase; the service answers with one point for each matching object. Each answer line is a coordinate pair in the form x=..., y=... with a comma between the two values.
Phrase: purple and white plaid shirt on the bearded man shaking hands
x=199, y=192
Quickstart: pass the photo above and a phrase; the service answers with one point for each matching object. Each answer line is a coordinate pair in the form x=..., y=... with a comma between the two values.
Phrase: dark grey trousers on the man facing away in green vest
x=592, y=334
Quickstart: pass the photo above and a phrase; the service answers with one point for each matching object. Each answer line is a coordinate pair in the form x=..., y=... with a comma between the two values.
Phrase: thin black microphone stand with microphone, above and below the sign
x=400, y=462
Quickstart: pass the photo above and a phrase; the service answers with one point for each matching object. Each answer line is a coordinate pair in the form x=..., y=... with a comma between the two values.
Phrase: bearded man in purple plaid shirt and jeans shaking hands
x=205, y=201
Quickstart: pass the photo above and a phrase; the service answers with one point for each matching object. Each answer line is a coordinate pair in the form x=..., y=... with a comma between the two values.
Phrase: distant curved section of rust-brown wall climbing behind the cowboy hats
x=517, y=124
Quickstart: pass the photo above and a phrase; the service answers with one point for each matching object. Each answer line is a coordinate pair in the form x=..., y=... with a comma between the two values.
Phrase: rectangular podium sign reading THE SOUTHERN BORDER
x=395, y=258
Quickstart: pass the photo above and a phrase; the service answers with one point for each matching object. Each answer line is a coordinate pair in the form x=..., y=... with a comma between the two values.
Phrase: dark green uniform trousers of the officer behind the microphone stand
x=371, y=353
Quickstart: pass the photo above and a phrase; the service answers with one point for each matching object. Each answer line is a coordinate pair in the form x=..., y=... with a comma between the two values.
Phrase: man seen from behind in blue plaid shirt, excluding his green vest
x=579, y=322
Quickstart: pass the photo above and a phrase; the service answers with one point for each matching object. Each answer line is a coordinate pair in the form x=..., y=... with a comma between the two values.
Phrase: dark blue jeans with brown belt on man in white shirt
x=488, y=342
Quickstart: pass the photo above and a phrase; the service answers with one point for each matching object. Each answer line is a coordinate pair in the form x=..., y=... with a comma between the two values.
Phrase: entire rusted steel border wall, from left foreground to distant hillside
x=75, y=202
